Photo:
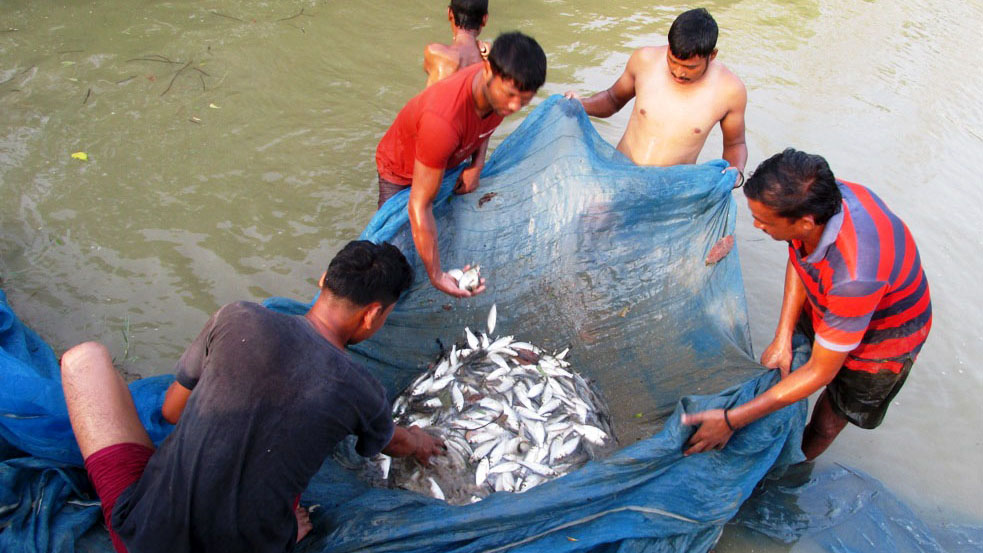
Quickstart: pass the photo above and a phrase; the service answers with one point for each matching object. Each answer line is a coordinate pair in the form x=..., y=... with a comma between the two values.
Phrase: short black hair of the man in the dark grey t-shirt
x=364, y=272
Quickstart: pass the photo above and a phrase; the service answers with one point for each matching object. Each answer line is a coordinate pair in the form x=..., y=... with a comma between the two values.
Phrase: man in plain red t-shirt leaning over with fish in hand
x=451, y=122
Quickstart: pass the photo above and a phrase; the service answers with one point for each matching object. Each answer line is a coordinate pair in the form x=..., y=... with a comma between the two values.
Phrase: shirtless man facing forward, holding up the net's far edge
x=681, y=93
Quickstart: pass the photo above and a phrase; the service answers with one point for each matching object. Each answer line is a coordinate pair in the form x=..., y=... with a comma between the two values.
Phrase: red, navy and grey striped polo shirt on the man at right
x=866, y=289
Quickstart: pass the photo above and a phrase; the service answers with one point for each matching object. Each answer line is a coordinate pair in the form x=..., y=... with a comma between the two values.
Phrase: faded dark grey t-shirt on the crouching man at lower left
x=271, y=398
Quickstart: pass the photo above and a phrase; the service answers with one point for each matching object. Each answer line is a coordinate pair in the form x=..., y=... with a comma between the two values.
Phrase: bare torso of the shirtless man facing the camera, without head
x=671, y=120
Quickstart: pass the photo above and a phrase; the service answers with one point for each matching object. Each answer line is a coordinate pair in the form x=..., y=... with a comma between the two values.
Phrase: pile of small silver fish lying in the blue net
x=511, y=415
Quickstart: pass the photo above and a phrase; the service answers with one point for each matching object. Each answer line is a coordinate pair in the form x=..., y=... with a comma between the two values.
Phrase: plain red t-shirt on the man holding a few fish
x=438, y=126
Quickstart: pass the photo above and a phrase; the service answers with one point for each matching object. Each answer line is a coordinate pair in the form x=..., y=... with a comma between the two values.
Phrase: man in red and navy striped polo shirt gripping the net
x=855, y=273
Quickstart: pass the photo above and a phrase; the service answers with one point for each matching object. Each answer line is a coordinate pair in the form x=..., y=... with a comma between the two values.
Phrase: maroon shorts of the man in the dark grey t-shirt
x=113, y=469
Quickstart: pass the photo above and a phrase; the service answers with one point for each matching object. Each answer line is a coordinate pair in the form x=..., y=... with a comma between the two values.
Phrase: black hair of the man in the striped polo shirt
x=796, y=184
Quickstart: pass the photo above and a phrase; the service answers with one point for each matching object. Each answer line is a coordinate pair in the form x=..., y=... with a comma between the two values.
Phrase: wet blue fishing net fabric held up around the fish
x=580, y=249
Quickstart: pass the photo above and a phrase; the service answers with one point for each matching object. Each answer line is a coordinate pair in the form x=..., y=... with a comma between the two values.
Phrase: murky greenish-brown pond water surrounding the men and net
x=231, y=153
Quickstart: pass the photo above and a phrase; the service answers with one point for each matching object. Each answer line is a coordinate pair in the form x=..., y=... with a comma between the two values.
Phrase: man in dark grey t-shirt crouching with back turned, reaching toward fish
x=260, y=400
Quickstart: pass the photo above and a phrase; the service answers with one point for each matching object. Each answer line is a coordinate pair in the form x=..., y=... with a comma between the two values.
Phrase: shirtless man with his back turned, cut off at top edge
x=467, y=18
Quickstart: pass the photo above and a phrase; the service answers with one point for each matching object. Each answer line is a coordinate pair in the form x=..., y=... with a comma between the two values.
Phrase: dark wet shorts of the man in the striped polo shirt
x=861, y=397
